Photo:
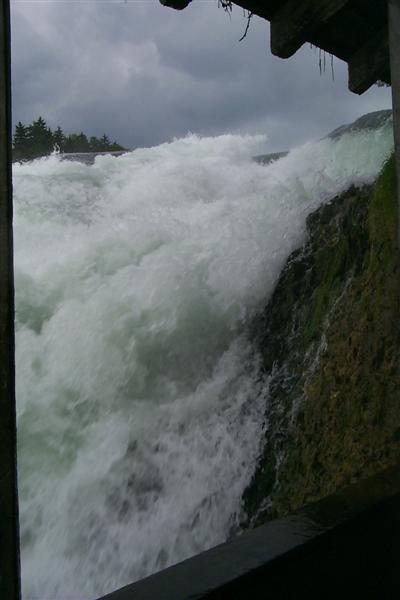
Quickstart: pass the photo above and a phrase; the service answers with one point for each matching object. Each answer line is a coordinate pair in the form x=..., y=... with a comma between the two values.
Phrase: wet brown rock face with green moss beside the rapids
x=330, y=343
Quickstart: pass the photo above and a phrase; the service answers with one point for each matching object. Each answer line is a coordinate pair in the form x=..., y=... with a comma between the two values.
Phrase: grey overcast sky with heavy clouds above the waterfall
x=144, y=74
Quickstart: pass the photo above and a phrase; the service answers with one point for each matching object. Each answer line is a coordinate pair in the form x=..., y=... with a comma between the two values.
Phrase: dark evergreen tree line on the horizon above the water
x=37, y=139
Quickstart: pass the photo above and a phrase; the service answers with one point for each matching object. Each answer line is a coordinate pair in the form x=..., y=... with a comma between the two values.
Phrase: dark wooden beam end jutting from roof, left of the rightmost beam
x=292, y=24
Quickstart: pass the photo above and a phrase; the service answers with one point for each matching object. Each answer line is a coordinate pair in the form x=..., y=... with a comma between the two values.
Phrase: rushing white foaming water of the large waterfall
x=140, y=400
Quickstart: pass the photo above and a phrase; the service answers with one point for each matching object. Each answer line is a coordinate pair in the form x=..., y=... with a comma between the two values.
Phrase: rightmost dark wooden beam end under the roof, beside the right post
x=369, y=63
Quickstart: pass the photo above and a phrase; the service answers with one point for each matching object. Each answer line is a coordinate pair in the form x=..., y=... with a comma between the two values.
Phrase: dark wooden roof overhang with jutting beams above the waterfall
x=355, y=31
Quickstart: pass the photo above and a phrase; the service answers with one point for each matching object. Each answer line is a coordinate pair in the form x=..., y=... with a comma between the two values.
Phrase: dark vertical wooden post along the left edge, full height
x=9, y=534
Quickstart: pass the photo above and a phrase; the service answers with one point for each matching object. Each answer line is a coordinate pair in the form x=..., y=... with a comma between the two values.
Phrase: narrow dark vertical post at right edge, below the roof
x=394, y=44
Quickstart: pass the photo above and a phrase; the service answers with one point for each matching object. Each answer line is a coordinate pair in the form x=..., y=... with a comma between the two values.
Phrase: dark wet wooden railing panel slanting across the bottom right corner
x=348, y=539
